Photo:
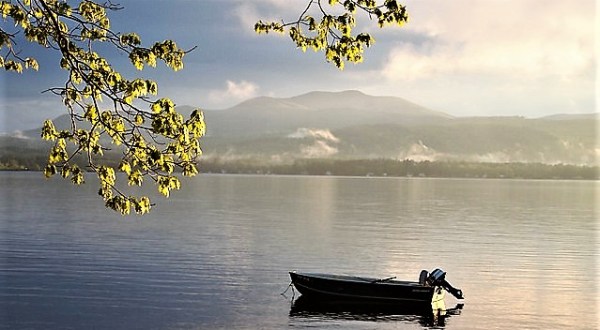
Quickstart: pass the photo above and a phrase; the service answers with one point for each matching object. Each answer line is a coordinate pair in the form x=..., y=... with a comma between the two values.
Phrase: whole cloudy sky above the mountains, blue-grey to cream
x=527, y=58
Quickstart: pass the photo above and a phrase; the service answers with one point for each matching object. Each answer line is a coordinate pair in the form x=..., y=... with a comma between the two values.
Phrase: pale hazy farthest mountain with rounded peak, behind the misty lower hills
x=319, y=110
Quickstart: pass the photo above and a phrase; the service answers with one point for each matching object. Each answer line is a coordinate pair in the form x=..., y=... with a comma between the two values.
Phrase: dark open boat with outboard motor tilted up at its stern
x=430, y=288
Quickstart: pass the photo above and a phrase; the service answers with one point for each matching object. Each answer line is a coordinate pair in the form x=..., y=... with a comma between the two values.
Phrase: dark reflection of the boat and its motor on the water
x=427, y=315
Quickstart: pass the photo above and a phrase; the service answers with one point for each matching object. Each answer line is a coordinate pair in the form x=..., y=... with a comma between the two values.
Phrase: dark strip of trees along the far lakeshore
x=369, y=167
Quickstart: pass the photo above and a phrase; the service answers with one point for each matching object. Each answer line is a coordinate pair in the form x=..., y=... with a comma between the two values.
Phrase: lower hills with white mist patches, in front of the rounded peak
x=474, y=140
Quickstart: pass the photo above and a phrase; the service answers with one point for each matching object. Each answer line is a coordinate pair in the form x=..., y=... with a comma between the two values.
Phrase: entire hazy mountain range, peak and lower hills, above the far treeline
x=353, y=125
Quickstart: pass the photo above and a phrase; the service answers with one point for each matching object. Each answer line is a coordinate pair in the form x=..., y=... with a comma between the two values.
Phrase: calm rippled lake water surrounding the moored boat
x=217, y=253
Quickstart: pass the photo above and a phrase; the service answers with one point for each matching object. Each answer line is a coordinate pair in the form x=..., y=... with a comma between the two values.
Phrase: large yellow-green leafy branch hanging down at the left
x=107, y=110
